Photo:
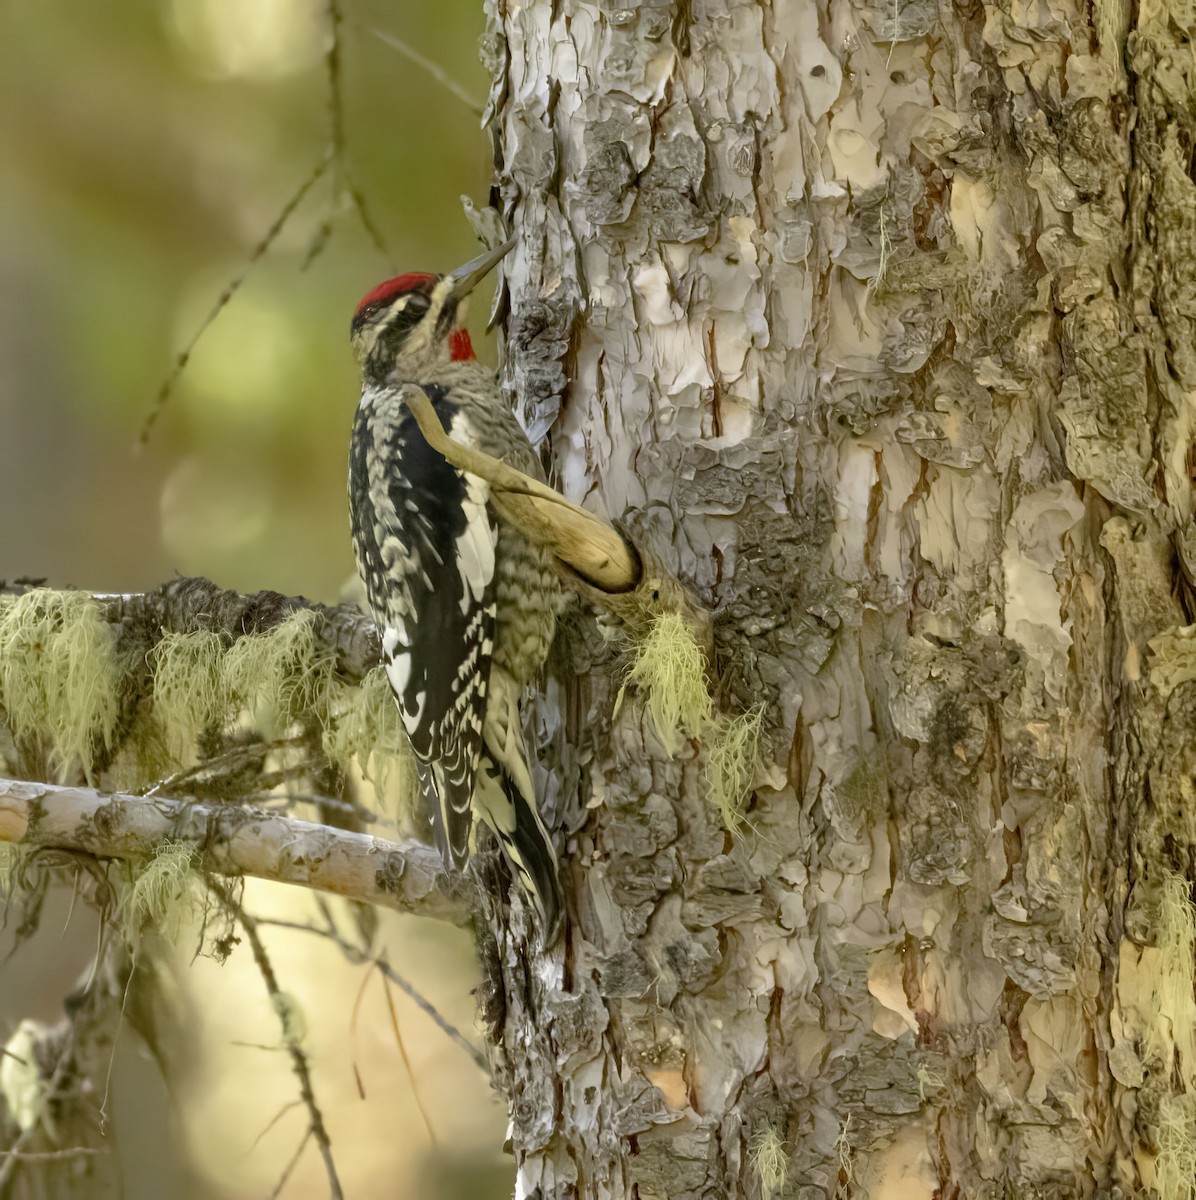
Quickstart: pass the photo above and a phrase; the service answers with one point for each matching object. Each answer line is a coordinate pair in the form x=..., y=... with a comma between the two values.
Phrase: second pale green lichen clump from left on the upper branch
x=190, y=691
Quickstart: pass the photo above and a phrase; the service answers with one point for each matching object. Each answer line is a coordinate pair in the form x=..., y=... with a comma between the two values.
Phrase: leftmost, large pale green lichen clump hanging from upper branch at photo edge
x=61, y=677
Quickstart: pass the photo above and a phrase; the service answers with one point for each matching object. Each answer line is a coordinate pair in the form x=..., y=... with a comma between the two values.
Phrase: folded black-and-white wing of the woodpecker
x=425, y=541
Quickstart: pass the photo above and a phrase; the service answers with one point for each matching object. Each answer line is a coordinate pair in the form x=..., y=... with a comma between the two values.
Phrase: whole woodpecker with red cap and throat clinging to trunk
x=465, y=604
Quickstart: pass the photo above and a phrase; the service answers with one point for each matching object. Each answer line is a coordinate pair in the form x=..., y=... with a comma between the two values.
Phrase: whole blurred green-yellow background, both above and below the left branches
x=147, y=148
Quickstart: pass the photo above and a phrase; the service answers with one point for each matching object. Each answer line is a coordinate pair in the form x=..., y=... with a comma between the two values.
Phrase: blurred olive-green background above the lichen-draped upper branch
x=148, y=146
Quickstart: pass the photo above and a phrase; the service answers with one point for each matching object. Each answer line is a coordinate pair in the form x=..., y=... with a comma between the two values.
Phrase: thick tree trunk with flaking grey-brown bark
x=878, y=325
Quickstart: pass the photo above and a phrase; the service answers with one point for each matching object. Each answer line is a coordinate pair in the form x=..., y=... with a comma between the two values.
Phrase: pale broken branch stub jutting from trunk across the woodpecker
x=600, y=561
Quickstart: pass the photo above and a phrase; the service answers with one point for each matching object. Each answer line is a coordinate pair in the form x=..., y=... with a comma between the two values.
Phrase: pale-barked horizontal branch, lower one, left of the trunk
x=237, y=842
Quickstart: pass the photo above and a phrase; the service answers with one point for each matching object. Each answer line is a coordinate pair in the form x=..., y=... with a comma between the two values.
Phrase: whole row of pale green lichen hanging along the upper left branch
x=77, y=700
